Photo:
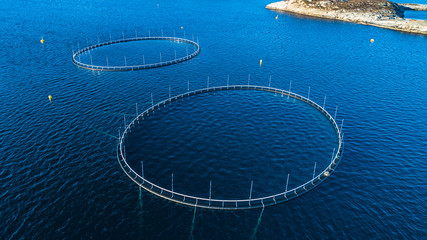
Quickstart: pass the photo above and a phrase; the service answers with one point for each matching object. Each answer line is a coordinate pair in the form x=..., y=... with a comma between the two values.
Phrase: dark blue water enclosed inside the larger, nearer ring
x=230, y=139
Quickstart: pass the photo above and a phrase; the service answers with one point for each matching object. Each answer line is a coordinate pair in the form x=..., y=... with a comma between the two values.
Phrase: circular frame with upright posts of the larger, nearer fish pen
x=316, y=176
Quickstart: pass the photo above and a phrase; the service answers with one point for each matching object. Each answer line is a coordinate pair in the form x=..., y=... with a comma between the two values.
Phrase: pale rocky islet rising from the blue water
x=379, y=13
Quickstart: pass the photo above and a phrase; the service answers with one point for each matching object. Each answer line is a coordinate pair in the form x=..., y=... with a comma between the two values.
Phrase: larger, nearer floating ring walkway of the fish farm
x=230, y=204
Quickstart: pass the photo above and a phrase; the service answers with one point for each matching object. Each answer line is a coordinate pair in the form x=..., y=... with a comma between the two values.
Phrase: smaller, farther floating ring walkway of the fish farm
x=135, y=67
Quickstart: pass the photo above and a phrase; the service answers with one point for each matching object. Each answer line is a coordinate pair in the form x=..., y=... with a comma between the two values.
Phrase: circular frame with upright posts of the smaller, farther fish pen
x=190, y=53
